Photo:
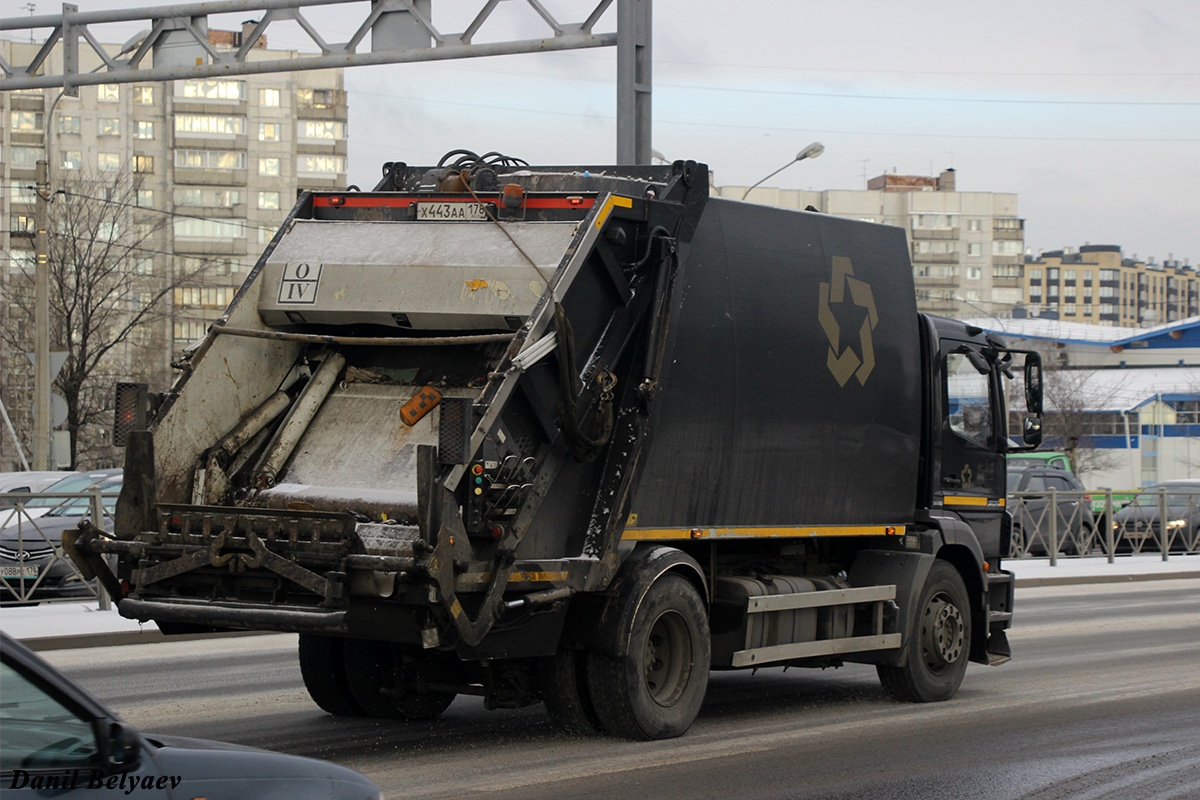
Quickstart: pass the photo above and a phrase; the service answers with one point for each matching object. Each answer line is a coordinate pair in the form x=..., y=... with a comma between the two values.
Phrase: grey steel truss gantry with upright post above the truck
x=176, y=46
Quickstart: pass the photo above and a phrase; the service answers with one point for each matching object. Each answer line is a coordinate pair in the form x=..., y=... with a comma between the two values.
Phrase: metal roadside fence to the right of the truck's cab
x=1106, y=524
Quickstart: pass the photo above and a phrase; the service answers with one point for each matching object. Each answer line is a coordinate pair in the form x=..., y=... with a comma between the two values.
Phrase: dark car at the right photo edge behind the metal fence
x=1139, y=526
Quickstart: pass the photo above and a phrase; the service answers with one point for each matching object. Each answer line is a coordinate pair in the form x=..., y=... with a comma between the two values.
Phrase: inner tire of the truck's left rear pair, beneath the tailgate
x=382, y=688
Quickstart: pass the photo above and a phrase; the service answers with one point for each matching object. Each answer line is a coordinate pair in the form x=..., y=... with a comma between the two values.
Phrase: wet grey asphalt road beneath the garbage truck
x=1102, y=701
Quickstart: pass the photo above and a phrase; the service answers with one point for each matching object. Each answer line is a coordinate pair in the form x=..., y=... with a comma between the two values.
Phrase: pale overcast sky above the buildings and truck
x=1088, y=110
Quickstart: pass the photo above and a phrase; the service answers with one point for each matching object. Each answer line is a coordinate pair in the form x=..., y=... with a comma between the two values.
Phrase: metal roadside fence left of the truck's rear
x=26, y=544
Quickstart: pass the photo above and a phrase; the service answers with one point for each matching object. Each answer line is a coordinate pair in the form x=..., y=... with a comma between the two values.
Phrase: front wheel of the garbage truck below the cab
x=940, y=645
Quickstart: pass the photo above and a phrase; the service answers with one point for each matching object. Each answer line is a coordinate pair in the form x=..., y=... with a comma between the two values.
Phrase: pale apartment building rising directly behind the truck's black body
x=967, y=246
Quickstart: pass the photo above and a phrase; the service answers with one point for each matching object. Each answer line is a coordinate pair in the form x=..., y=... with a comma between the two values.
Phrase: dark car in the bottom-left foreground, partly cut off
x=53, y=733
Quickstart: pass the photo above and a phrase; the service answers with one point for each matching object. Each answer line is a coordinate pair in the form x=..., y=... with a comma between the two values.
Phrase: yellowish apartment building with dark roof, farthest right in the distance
x=1097, y=285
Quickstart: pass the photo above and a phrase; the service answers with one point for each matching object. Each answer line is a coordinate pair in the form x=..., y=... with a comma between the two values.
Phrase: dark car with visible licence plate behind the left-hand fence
x=33, y=566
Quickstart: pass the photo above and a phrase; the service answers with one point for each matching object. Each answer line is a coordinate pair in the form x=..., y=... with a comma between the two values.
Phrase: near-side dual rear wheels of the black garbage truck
x=656, y=691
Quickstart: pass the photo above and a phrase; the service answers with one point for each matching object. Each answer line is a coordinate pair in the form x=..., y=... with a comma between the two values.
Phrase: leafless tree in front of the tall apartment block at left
x=101, y=294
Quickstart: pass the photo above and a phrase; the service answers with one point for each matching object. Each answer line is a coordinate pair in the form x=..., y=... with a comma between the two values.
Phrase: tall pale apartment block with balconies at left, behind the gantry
x=218, y=163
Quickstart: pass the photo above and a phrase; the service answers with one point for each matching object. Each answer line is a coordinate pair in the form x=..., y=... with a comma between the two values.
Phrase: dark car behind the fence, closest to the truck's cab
x=1030, y=506
